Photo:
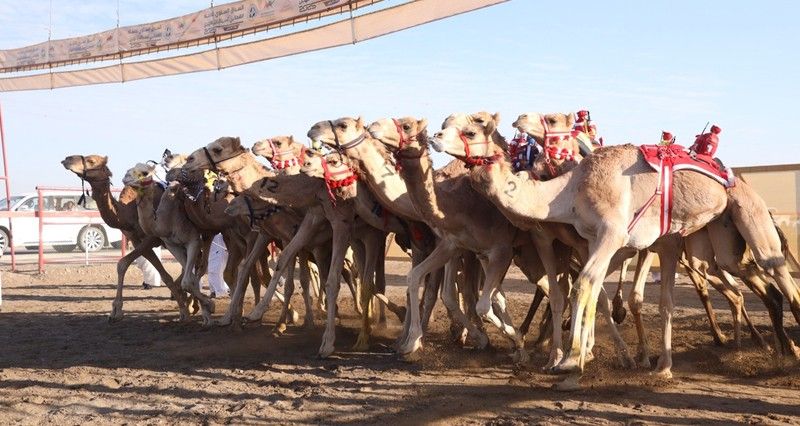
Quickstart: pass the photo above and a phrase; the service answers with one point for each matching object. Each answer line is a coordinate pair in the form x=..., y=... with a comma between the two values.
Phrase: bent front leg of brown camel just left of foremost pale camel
x=410, y=340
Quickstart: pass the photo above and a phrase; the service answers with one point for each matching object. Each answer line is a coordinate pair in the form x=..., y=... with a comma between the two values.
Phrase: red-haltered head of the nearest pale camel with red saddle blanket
x=469, y=143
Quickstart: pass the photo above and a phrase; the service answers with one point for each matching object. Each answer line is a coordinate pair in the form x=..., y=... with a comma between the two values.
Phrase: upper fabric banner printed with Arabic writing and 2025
x=205, y=26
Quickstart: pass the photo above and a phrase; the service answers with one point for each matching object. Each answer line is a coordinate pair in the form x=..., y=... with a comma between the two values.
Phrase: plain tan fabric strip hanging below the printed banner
x=348, y=31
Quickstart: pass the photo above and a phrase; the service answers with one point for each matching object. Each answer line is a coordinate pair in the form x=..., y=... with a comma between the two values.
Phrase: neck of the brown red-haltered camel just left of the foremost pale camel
x=418, y=175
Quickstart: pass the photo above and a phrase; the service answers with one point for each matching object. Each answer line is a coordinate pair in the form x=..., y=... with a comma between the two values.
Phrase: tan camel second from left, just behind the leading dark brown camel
x=172, y=226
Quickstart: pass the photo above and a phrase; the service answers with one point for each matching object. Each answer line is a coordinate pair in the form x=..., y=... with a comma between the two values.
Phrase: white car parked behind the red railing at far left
x=63, y=233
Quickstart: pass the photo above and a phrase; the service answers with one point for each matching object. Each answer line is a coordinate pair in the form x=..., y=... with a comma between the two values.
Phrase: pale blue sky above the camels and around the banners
x=639, y=67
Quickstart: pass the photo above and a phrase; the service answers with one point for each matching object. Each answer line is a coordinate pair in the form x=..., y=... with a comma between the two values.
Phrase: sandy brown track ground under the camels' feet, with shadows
x=63, y=363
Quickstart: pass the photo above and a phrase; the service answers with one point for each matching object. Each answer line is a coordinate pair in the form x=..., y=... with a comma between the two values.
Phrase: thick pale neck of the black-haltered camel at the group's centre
x=383, y=179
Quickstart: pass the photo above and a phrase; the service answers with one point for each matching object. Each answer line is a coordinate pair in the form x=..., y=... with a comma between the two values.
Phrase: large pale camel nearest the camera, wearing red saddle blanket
x=599, y=198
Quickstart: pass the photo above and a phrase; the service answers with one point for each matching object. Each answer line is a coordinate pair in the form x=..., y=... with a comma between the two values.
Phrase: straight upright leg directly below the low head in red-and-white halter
x=342, y=227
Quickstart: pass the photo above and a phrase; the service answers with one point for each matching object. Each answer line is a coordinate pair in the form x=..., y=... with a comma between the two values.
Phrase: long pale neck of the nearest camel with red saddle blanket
x=523, y=200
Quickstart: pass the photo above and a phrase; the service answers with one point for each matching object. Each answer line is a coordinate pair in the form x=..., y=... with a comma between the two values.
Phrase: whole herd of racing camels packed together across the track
x=566, y=222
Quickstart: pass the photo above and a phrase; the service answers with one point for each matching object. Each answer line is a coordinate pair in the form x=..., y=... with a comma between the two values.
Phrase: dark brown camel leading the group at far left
x=121, y=214
